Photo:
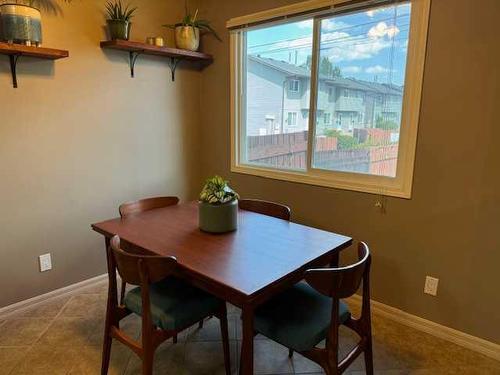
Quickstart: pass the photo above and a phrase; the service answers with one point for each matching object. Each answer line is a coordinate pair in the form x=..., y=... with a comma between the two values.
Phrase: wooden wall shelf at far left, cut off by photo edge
x=14, y=51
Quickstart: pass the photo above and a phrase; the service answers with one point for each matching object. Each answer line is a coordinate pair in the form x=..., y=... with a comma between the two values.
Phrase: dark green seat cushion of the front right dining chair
x=298, y=318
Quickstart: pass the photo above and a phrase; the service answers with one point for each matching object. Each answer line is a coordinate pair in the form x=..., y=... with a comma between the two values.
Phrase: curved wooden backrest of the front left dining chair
x=135, y=269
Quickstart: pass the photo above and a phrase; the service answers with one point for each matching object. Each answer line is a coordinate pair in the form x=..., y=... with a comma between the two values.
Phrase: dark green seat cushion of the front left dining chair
x=175, y=304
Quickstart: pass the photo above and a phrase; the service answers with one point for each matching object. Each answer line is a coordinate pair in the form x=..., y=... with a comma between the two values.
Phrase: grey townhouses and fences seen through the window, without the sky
x=357, y=122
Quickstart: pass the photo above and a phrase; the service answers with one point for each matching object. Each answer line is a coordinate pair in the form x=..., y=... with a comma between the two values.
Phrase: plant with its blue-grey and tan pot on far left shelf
x=21, y=20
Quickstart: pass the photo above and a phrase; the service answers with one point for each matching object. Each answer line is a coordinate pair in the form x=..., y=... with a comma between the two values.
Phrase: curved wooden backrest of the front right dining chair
x=342, y=282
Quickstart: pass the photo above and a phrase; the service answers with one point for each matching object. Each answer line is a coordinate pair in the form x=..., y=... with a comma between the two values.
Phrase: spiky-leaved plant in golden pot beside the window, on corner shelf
x=187, y=32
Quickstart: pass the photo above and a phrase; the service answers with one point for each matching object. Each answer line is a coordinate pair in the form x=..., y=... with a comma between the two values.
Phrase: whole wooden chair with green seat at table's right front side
x=306, y=314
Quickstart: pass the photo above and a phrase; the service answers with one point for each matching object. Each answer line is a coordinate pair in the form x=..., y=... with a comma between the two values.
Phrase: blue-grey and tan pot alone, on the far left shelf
x=20, y=24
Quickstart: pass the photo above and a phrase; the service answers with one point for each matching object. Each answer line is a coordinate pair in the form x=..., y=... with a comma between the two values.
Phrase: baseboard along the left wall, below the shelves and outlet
x=68, y=290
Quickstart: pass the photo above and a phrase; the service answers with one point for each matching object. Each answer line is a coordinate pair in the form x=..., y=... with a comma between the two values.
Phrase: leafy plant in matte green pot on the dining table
x=218, y=206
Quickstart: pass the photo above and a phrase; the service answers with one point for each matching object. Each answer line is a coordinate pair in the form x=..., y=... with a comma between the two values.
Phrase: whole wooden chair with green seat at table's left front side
x=167, y=305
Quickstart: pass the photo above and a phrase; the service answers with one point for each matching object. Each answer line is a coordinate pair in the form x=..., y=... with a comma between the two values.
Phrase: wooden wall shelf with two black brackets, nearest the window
x=175, y=55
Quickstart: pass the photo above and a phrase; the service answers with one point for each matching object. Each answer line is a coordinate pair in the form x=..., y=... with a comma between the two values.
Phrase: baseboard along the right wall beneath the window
x=465, y=340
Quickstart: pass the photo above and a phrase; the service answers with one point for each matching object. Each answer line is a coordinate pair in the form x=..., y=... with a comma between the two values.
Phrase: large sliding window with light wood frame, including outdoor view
x=361, y=139
